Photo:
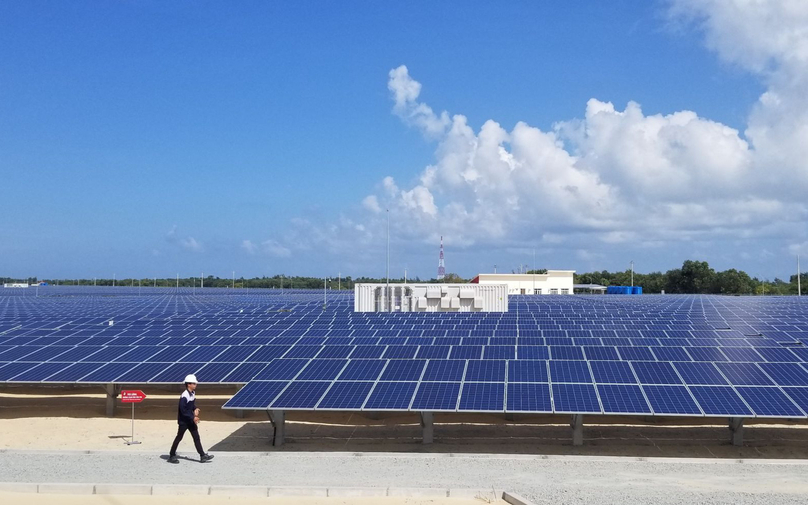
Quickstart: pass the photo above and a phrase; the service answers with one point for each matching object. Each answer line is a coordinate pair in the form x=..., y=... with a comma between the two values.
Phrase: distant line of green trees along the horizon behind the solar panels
x=694, y=277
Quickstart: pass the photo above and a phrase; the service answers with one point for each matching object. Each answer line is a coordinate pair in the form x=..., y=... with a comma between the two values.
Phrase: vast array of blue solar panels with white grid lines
x=650, y=355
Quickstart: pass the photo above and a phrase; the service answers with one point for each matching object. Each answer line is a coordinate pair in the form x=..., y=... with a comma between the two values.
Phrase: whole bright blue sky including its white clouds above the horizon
x=151, y=138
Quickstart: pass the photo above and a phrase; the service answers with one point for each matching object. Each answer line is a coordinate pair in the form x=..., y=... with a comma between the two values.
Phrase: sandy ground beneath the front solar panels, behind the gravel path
x=65, y=418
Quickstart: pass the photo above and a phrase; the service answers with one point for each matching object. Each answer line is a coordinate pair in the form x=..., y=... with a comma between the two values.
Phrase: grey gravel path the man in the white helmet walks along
x=542, y=479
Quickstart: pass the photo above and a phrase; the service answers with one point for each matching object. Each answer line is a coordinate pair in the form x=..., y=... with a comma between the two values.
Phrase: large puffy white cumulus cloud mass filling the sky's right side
x=616, y=174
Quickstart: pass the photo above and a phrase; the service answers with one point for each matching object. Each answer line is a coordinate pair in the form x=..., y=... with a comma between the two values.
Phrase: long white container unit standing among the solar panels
x=431, y=298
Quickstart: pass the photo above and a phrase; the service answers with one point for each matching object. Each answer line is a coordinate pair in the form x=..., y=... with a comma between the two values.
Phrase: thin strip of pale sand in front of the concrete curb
x=49, y=499
